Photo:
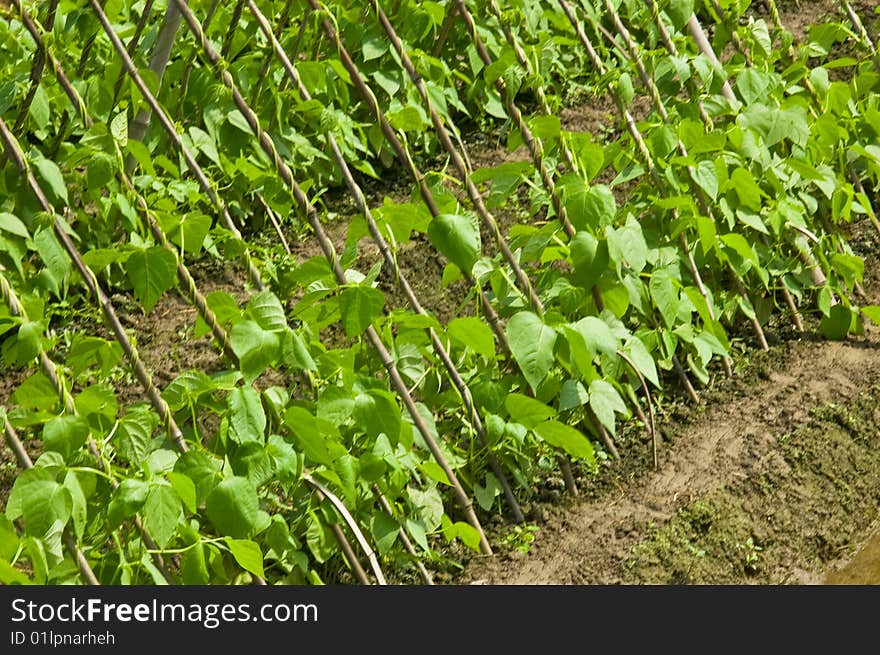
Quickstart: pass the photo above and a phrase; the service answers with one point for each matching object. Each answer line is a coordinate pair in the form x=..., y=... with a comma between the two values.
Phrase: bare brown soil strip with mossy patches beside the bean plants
x=787, y=462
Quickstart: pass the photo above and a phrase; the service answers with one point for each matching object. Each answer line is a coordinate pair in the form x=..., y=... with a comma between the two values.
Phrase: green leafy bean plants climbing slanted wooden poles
x=644, y=254
